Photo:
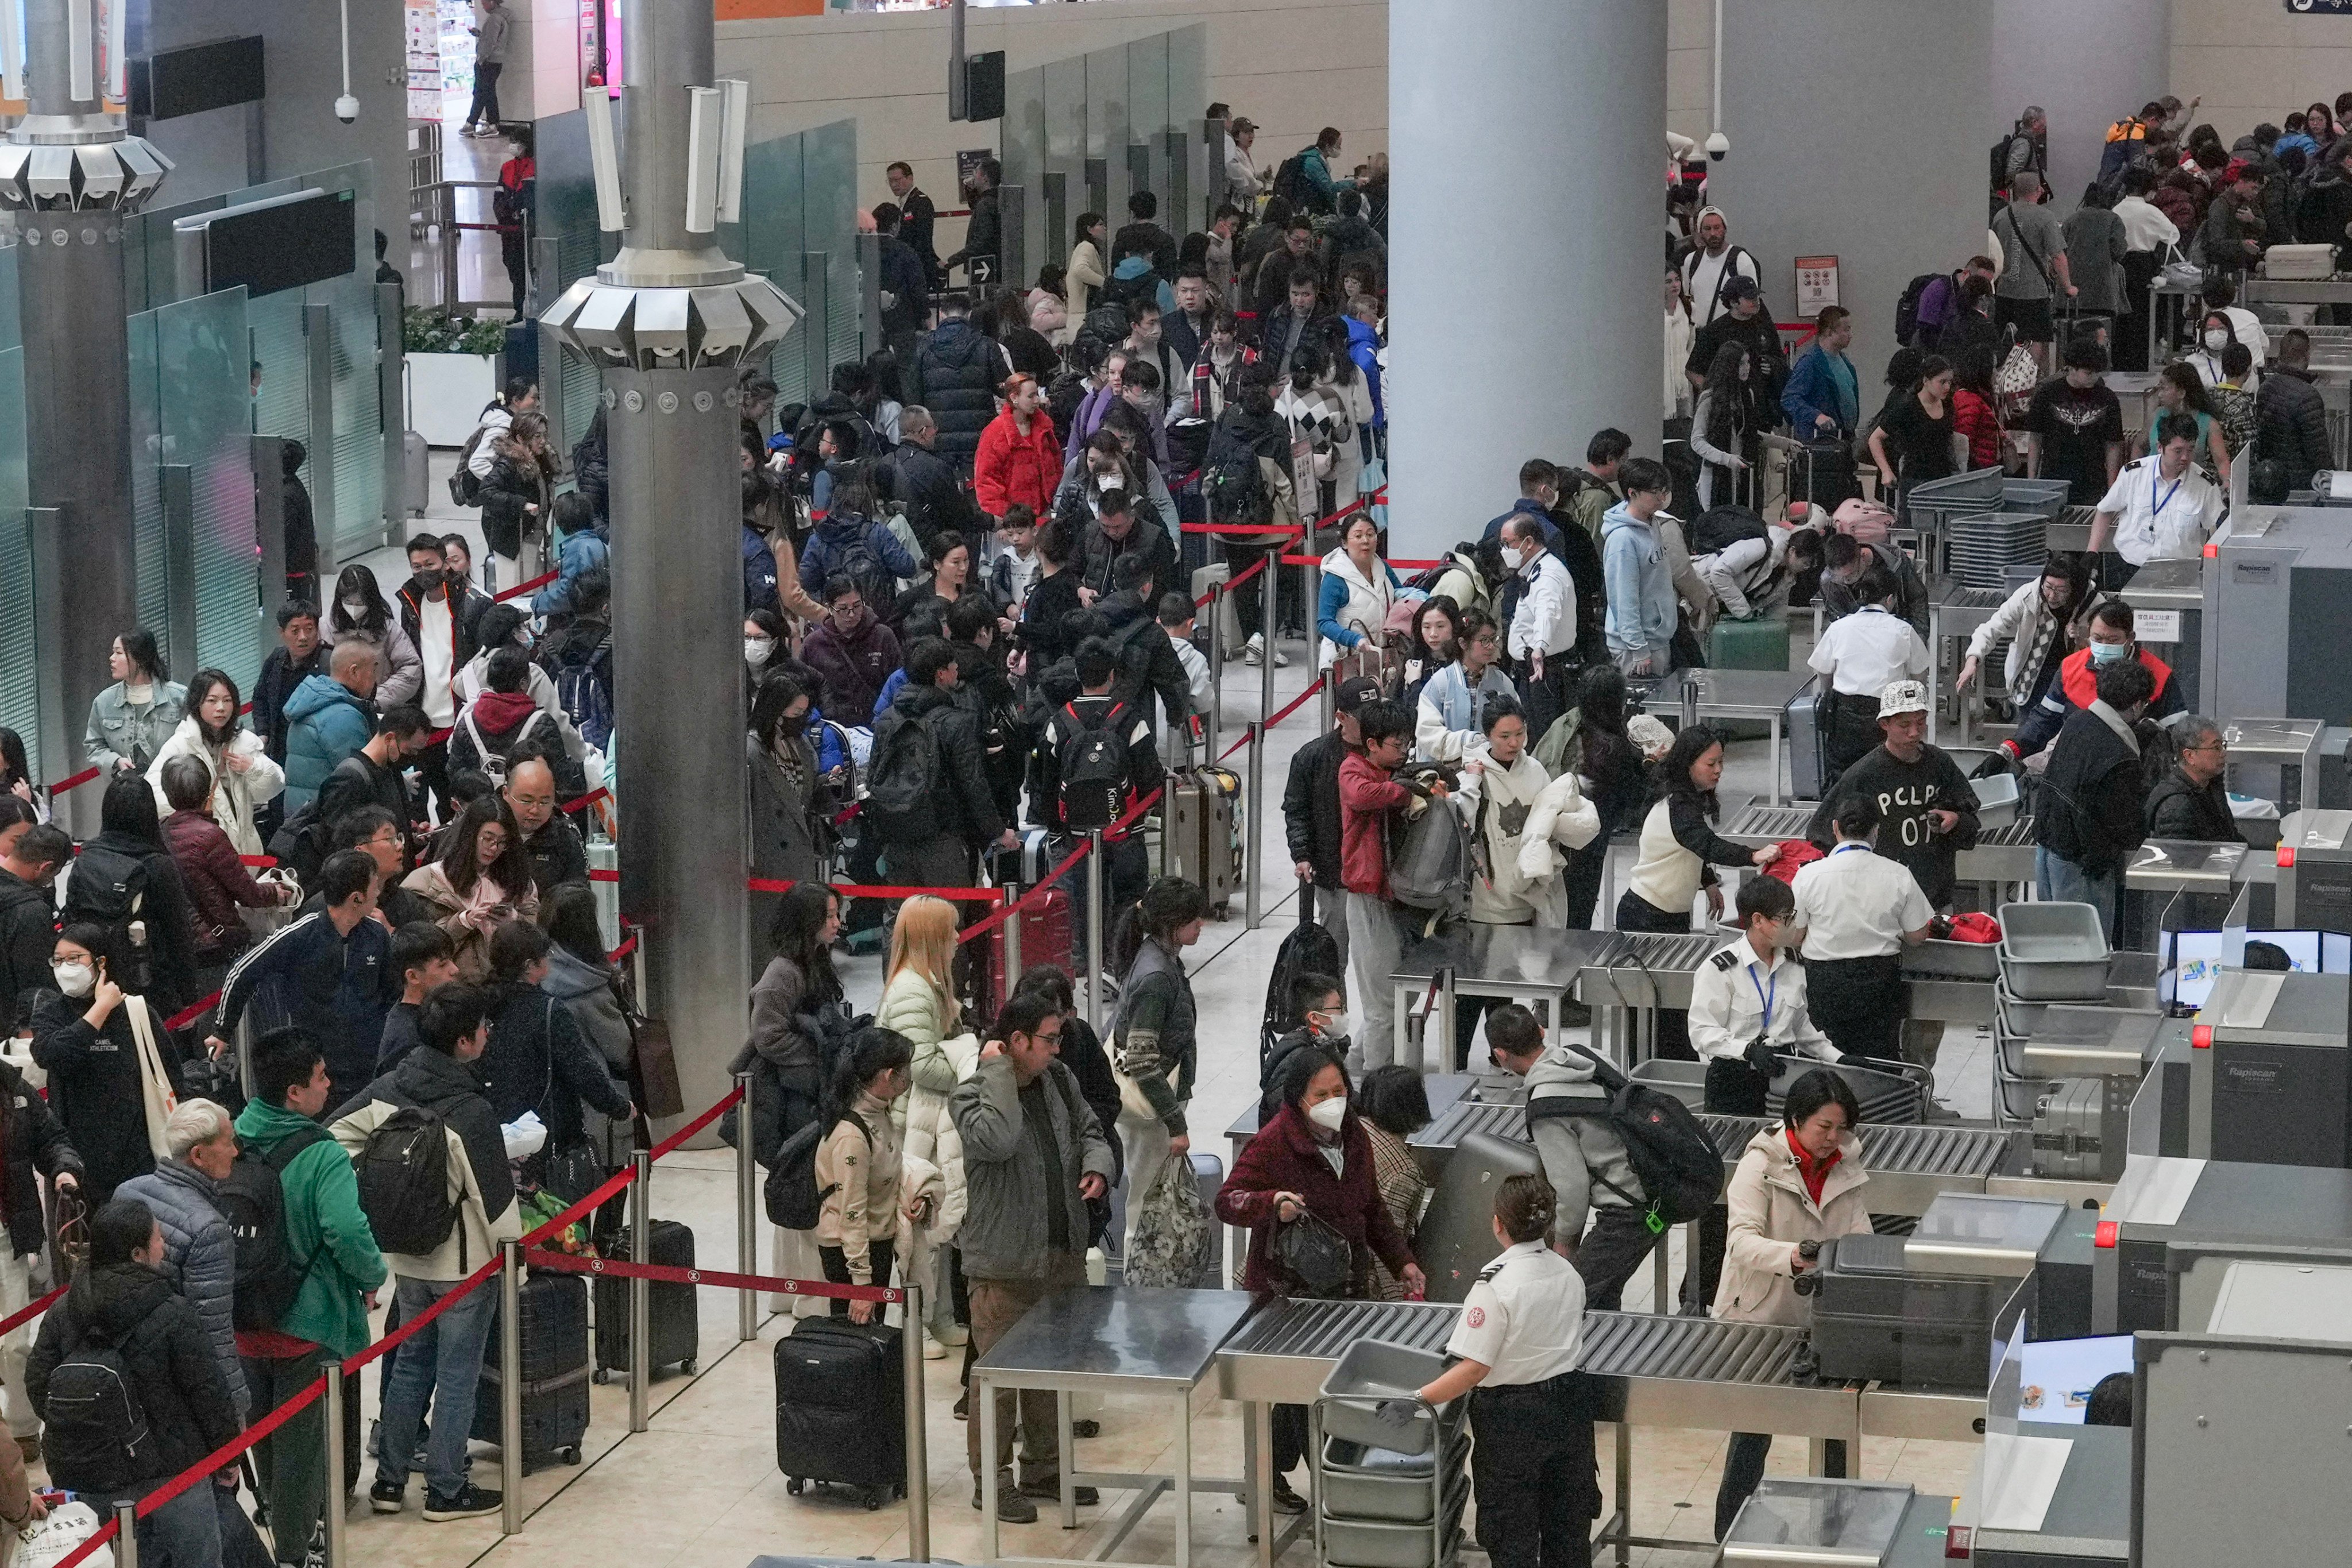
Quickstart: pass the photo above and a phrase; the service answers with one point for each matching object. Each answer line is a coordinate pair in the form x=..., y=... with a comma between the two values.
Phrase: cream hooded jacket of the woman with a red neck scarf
x=1772, y=1214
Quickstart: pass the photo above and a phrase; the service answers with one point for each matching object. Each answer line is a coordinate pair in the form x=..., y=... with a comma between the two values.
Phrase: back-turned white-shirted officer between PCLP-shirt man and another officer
x=1855, y=916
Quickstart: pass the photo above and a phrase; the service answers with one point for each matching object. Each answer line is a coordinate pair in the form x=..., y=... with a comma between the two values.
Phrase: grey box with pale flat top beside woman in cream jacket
x=1923, y=1311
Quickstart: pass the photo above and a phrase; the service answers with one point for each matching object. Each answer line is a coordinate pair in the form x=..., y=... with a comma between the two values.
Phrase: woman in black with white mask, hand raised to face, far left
x=83, y=1040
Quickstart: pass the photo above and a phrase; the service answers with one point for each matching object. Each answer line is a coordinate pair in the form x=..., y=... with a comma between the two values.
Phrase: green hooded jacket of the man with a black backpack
x=326, y=1226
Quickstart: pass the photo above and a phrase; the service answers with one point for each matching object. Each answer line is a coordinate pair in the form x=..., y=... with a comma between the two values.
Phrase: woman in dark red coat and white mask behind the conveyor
x=1314, y=1160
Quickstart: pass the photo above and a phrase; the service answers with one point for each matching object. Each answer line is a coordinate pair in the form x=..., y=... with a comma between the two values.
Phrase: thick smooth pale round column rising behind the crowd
x=1525, y=217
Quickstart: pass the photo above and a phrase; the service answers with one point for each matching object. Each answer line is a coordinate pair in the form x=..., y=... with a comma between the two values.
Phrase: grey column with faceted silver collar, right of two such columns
x=669, y=321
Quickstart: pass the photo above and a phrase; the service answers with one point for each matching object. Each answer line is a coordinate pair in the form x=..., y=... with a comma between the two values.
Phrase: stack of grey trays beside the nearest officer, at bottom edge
x=1391, y=1470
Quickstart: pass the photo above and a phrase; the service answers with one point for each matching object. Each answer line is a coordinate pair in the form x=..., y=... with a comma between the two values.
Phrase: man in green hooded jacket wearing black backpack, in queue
x=328, y=1233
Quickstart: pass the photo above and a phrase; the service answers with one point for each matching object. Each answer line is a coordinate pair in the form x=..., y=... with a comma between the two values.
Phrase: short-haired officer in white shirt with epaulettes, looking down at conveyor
x=1749, y=1005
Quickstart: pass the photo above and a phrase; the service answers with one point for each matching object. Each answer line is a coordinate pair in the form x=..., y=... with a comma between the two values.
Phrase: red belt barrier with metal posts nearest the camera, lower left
x=507, y=1271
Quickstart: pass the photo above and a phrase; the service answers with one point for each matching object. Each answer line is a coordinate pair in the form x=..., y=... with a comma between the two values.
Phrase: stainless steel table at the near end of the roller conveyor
x=1109, y=1341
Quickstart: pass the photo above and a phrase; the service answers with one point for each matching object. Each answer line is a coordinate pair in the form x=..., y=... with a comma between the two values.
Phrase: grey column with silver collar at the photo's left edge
x=69, y=175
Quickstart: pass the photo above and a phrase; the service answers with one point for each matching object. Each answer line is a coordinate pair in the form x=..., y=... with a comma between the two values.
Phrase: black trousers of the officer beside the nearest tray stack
x=1535, y=1475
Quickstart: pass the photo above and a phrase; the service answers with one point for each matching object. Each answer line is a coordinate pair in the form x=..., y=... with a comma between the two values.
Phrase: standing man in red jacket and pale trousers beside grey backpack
x=1368, y=800
